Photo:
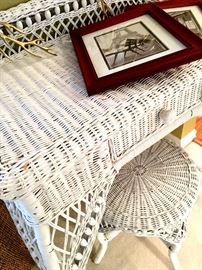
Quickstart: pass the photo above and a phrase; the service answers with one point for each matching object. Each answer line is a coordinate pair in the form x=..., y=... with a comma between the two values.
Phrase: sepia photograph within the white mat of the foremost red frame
x=128, y=44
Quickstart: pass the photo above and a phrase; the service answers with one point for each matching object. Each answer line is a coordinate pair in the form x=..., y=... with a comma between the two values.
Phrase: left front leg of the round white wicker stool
x=103, y=239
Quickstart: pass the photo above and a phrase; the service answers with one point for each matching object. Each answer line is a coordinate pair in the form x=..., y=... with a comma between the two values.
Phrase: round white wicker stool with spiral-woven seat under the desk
x=151, y=196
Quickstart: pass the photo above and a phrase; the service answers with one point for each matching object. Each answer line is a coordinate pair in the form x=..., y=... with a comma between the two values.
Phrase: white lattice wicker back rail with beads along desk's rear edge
x=50, y=19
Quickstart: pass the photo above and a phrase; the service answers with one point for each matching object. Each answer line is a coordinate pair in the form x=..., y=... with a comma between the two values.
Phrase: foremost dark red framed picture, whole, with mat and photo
x=137, y=43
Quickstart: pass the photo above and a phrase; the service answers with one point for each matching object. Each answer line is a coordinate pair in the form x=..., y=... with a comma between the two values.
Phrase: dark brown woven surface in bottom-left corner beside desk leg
x=13, y=253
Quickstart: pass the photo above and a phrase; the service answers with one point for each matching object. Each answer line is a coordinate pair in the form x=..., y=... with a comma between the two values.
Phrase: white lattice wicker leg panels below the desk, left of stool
x=69, y=236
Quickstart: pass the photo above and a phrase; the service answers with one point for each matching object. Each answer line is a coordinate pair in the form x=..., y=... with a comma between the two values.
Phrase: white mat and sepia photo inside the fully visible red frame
x=129, y=44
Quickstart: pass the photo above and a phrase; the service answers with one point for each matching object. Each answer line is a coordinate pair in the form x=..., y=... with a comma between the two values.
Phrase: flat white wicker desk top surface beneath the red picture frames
x=44, y=103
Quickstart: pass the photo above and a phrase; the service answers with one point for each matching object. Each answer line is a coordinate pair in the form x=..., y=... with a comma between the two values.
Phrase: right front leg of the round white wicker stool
x=172, y=252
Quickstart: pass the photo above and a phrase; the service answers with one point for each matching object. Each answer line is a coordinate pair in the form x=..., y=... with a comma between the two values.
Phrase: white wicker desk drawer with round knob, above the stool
x=162, y=116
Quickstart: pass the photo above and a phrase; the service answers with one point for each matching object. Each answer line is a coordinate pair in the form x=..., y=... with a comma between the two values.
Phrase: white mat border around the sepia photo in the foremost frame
x=167, y=40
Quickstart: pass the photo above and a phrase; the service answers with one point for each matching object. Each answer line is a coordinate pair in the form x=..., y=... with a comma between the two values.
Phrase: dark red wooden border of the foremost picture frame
x=95, y=84
